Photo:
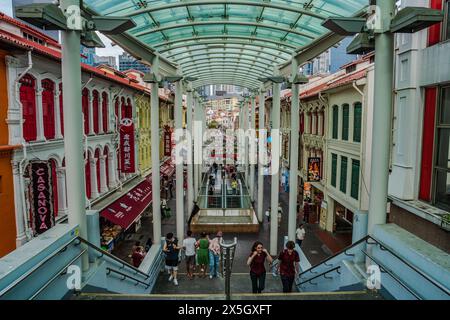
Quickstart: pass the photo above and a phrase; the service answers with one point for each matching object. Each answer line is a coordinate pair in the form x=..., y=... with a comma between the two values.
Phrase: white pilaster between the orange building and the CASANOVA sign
x=20, y=206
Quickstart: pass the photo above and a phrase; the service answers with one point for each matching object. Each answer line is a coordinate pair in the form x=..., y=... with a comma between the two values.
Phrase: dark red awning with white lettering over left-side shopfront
x=127, y=208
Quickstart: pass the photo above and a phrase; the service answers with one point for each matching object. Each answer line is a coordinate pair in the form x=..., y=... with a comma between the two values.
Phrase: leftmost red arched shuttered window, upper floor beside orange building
x=28, y=101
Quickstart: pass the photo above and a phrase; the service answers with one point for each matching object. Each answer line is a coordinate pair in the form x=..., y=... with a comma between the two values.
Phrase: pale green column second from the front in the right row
x=293, y=163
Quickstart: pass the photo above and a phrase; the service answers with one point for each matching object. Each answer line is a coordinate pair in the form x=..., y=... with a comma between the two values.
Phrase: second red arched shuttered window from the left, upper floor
x=48, y=108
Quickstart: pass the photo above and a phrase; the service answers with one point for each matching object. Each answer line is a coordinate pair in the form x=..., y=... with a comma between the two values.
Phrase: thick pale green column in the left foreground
x=73, y=130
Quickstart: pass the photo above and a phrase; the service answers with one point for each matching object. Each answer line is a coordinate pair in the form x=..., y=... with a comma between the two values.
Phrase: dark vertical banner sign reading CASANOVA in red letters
x=42, y=197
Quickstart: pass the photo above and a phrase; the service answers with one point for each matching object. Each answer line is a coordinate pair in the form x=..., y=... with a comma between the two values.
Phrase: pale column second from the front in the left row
x=154, y=119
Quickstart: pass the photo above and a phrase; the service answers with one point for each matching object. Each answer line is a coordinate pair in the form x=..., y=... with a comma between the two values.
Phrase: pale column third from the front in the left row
x=178, y=113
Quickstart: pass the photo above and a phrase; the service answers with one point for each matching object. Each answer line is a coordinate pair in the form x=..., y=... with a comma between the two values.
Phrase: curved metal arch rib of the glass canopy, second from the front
x=224, y=22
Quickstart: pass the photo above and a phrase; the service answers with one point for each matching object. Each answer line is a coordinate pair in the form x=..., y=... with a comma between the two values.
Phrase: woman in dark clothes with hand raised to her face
x=256, y=261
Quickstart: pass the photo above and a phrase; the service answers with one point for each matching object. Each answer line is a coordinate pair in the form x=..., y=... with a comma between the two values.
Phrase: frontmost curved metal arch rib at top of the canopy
x=281, y=7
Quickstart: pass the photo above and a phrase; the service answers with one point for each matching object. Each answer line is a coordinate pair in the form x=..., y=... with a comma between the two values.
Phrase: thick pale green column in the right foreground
x=382, y=116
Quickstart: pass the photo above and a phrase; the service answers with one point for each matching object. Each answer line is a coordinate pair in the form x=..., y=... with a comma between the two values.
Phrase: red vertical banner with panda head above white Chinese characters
x=127, y=146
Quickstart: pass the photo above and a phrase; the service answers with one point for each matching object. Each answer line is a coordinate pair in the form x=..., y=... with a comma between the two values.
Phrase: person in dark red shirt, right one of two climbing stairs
x=288, y=266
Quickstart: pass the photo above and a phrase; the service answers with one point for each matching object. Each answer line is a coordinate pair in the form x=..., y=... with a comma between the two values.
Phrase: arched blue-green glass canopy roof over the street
x=227, y=42
